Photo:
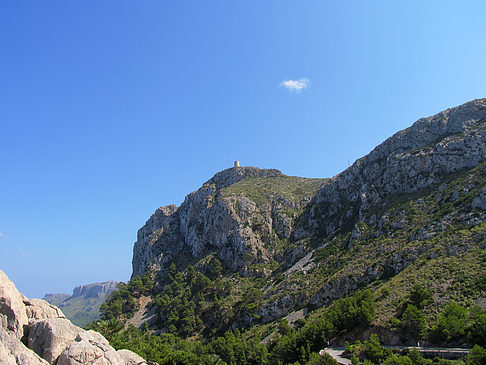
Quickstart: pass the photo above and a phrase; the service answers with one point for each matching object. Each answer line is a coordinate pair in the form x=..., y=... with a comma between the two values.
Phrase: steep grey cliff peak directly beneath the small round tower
x=227, y=215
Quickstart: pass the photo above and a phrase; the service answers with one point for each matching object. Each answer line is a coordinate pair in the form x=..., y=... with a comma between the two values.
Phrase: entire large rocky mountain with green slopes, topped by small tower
x=391, y=246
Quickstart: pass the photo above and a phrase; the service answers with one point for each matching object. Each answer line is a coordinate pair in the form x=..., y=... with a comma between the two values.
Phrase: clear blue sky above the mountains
x=110, y=109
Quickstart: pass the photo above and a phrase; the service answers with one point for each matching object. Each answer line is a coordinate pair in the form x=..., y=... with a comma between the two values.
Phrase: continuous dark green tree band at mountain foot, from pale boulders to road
x=297, y=346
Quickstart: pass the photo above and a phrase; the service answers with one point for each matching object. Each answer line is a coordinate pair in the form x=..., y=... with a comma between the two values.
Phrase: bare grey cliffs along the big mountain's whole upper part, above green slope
x=245, y=231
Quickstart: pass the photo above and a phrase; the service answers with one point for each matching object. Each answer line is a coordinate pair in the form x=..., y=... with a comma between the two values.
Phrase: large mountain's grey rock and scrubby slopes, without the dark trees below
x=313, y=241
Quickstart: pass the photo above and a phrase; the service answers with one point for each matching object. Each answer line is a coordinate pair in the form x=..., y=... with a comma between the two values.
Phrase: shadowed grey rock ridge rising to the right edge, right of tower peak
x=413, y=159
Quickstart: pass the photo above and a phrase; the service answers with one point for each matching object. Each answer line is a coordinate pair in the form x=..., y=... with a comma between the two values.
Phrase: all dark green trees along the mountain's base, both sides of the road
x=297, y=344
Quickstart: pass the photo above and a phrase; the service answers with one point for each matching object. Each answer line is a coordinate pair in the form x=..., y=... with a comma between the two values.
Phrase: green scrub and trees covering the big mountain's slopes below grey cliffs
x=429, y=245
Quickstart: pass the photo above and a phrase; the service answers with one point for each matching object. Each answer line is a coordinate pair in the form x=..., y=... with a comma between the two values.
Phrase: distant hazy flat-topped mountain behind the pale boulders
x=82, y=307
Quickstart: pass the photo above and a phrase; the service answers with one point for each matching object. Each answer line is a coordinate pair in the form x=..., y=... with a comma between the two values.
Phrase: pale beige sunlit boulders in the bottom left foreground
x=33, y=332
